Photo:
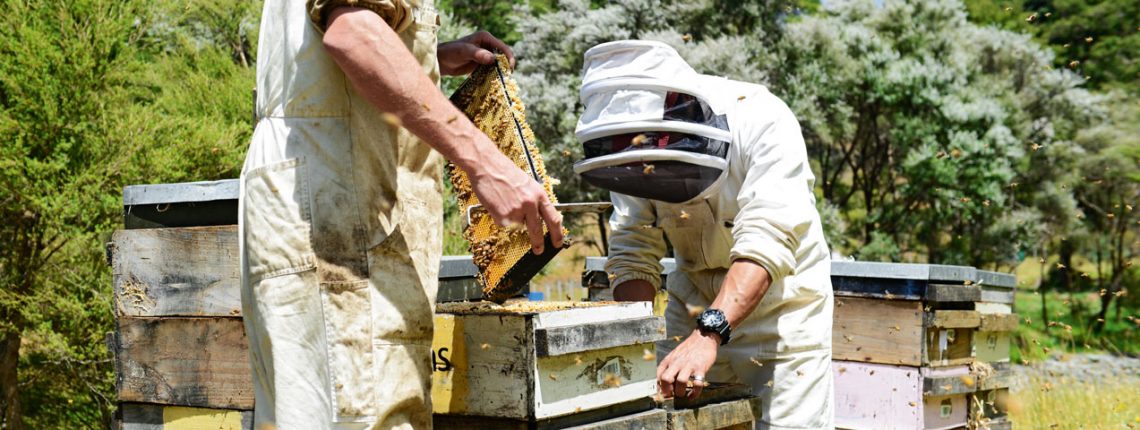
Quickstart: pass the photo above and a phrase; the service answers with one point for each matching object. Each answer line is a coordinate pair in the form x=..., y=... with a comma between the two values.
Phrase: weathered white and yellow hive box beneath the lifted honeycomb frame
x=528, y=363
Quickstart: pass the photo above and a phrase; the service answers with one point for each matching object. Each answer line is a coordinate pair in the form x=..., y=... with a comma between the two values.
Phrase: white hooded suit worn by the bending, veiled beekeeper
x=763, y=209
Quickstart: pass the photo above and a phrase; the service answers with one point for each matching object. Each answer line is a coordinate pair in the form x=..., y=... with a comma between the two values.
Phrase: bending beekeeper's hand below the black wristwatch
x=682, y=374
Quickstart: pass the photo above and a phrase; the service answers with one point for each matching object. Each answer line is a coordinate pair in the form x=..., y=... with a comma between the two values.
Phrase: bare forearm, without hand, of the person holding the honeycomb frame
x=388, y=76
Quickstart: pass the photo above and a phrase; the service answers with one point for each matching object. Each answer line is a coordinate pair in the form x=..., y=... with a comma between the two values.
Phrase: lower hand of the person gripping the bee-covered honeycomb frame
x=514, y=198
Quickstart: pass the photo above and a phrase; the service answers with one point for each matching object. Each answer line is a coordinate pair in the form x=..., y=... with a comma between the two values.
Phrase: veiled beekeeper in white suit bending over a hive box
x=720, y=168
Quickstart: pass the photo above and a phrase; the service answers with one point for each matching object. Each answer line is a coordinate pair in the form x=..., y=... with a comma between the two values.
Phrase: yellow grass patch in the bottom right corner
x=1064, y=403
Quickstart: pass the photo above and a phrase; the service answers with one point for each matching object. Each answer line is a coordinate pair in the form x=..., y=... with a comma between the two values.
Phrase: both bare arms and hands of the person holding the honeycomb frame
x=382, y=70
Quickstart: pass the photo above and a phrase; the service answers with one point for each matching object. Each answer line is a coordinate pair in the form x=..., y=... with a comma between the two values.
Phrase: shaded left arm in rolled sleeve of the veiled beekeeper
x=637, y=247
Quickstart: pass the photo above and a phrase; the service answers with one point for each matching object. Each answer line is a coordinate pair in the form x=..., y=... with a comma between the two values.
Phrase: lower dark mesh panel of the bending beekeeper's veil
x=664, y=181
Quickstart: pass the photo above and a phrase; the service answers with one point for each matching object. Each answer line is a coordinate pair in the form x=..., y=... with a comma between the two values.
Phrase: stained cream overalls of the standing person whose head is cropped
x=341, y=236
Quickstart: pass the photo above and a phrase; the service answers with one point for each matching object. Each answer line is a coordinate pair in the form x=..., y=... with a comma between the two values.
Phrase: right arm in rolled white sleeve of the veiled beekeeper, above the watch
x=777, y=207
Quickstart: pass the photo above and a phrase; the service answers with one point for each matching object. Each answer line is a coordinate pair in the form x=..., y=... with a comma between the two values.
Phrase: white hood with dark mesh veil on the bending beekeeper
x=650, y=127
